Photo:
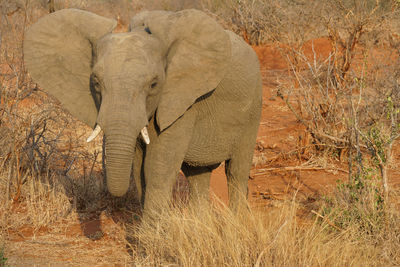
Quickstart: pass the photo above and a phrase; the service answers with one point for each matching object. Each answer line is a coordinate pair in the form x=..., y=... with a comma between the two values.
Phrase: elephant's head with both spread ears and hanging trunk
x=118, y=81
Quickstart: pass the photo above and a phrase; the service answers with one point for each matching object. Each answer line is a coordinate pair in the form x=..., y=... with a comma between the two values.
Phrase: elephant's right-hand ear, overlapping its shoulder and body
x=198, y=56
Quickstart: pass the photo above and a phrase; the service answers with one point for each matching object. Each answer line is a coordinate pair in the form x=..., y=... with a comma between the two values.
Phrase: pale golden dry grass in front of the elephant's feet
x=210, y=236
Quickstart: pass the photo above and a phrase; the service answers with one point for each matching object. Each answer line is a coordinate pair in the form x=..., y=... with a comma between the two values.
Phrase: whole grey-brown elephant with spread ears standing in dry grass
x=194, y=85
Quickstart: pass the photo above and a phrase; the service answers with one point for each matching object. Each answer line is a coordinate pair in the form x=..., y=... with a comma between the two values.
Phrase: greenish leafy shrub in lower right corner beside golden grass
x=360, y=212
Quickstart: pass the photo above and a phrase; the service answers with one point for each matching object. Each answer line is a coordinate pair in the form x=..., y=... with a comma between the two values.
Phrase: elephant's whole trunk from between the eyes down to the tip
x=122, y=116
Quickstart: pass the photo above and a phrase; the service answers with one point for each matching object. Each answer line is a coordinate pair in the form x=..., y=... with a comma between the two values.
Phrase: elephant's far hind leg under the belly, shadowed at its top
x=199, y=182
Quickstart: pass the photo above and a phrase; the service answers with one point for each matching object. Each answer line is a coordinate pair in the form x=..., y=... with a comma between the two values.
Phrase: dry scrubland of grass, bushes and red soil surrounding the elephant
x=331, y=92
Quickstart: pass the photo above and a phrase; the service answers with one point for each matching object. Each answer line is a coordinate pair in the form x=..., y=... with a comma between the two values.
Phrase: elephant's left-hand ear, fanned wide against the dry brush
x=58, y=55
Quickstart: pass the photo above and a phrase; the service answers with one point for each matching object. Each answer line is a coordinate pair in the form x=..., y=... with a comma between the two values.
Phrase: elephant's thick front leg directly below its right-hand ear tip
x=163, y=160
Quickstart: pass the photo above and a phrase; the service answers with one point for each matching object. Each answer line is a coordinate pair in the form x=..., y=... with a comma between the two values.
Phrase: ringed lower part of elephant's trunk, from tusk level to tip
x=120, y=148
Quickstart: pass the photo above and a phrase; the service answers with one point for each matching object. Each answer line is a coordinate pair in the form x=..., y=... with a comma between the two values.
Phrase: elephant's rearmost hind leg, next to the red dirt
x=237, y=169
